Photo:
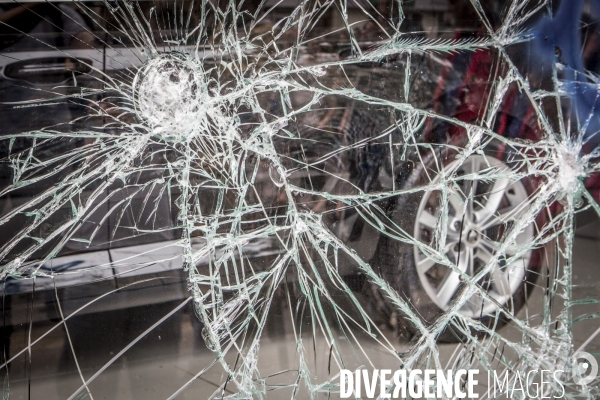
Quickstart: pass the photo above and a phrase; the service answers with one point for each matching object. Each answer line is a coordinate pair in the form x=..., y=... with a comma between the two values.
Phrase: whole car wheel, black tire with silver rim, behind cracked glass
x=430, y=287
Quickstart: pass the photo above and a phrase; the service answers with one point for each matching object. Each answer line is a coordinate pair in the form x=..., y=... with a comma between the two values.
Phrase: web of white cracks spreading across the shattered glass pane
x=230, y=126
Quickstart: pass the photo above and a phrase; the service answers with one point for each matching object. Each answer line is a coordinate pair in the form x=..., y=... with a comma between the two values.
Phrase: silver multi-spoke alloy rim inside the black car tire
x=480, y=214
